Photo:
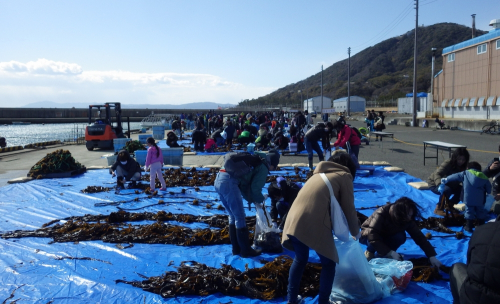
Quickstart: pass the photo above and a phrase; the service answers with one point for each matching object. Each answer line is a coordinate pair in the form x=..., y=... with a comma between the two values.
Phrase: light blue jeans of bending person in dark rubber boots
x=230, y=196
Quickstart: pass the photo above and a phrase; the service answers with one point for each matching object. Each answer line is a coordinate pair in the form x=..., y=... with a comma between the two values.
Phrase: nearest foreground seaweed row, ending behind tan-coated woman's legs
x=265, y=283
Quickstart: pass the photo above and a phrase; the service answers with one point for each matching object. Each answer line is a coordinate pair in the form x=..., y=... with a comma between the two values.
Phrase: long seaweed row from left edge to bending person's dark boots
x=113, y=229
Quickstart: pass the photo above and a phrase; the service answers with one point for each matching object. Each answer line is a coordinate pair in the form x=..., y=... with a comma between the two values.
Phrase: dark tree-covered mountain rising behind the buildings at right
x=381, y=72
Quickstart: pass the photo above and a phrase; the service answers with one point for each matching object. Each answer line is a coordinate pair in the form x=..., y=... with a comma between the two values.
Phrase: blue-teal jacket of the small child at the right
x=475, y=186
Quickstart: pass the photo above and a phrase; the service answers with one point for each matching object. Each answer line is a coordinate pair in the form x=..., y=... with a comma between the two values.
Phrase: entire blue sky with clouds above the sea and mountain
x=190, y=51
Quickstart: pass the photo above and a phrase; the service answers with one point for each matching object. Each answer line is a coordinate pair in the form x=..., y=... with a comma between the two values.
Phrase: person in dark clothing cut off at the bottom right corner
x=478, y=281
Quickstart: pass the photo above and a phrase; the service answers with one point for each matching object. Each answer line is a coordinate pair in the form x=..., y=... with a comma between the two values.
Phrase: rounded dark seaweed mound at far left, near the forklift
x=59, y=161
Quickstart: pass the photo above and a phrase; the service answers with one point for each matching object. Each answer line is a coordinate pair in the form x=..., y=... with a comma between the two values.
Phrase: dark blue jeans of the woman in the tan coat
x=297, y=269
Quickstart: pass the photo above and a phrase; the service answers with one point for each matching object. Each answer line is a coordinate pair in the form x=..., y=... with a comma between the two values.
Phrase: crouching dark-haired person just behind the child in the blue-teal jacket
x=457, y=163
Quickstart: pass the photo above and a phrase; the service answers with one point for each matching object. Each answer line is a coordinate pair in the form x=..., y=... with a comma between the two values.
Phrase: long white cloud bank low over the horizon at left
x=23, y=83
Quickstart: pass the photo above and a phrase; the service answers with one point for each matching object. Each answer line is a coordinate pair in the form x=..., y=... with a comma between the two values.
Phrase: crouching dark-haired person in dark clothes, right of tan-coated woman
x=385, y=231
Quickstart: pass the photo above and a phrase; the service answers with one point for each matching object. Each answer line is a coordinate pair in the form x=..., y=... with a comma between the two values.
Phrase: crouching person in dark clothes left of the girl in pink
x=126, y=169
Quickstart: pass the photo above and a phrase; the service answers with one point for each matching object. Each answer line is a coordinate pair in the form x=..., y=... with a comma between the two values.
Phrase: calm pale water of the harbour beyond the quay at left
x=21, y=135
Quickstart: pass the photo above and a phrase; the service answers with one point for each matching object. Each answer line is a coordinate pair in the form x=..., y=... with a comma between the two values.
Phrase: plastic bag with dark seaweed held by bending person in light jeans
x=266, y=237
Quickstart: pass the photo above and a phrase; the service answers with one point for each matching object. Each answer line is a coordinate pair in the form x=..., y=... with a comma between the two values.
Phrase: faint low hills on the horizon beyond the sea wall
x=194, y=105
